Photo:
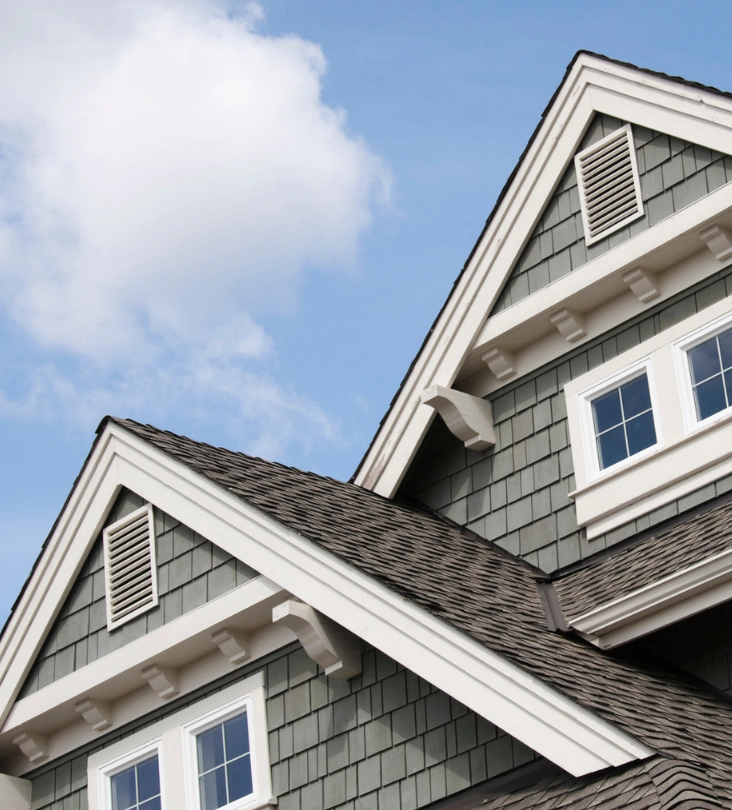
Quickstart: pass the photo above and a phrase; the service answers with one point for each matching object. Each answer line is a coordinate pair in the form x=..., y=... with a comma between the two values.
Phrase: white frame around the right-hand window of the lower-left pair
x=204, y=723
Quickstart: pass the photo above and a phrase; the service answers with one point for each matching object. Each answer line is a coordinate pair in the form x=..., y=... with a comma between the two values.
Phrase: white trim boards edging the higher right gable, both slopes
x=592, y=85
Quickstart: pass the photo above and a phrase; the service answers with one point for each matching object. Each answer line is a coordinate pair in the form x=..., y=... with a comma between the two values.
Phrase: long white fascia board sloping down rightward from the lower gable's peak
x=522, y=705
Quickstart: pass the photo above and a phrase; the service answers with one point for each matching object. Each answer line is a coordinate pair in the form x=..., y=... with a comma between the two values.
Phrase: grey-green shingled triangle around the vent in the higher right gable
x=673, y=174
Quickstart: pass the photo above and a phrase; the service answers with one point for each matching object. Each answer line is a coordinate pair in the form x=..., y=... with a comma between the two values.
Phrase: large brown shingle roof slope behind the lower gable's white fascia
x=479, y=590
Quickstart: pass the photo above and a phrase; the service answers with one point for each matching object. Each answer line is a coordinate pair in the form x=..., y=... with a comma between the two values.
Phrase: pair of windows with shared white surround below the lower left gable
x=212, y=754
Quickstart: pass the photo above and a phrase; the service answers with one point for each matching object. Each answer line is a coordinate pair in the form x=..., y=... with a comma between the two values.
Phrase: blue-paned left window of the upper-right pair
x=623, y=421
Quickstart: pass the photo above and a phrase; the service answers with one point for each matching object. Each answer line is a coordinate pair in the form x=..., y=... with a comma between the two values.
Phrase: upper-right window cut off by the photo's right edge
x=710, y=367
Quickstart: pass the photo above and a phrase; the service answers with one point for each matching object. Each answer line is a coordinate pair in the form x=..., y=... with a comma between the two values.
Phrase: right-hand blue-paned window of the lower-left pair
x=220, y=758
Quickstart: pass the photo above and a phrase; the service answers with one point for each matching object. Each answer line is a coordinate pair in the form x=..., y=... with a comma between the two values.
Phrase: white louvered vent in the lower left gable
x=129, y=567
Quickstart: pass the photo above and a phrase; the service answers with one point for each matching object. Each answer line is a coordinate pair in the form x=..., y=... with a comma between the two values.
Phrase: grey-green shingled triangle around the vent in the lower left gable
x=191, y=571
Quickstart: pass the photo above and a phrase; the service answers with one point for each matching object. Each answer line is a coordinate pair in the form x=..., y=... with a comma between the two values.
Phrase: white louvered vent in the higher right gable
x=609, y=188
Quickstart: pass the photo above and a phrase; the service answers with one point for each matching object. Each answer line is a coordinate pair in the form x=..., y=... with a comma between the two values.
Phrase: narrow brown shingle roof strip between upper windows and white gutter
x=648, y=558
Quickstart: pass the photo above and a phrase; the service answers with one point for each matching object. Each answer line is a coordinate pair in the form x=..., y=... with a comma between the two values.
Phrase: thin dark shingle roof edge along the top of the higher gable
x=502, y=194
